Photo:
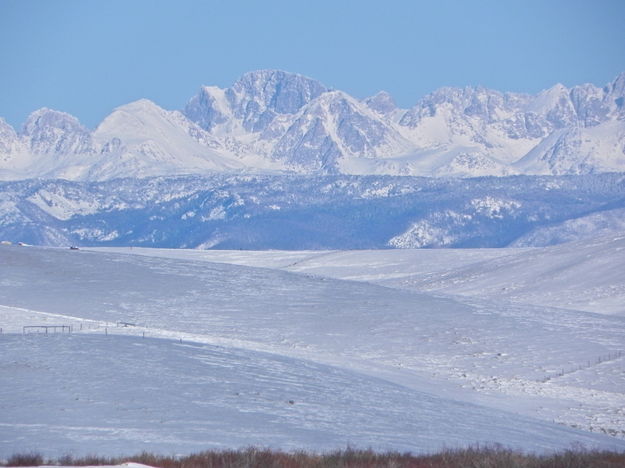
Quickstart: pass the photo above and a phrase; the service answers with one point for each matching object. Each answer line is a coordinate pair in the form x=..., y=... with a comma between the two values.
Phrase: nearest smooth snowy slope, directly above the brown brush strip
x=170, y=397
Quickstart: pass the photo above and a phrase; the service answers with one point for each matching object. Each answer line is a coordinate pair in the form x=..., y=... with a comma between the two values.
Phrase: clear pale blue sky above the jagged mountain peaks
x=87, y=57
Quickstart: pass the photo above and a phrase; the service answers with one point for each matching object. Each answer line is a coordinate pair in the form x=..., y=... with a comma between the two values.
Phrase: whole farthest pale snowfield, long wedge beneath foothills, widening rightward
x=584, y=275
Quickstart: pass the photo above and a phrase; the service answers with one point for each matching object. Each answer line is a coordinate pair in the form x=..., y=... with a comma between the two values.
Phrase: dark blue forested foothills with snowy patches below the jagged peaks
x=306, y=212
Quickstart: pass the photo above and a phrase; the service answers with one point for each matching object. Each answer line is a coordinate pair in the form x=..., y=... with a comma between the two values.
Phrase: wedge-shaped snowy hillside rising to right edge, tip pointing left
x=587, y=275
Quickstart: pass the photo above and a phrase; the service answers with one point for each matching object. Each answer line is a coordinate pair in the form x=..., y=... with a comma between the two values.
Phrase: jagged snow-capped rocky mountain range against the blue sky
x=274, y=122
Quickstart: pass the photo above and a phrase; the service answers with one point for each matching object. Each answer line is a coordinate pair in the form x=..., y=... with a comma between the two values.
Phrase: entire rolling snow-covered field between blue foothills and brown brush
x=176, y=351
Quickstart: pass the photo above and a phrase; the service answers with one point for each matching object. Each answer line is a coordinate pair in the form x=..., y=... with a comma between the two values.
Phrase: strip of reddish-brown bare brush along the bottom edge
x=263, y=458
